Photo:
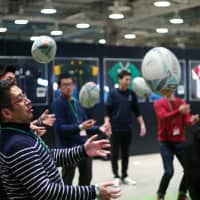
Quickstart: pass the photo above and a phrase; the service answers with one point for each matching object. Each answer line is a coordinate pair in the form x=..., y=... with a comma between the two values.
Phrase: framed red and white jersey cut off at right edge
x=194, y=80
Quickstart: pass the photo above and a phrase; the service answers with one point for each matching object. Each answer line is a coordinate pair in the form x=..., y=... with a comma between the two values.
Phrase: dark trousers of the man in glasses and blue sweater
x=85, y=172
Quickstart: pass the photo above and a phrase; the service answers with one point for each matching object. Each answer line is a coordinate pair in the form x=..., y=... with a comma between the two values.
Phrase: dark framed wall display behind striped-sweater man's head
x=31, y=77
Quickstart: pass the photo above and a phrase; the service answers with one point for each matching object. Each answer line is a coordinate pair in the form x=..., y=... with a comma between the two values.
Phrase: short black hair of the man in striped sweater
x=5, y=95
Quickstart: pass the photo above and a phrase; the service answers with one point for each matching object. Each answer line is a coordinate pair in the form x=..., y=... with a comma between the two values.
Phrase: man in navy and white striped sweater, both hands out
x=28, y=167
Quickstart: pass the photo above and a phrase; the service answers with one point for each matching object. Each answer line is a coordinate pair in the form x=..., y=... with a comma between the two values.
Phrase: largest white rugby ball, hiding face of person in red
x=161, y=69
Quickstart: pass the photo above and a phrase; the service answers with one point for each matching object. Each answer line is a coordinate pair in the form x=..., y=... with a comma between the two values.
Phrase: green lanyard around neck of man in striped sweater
x=34, y=136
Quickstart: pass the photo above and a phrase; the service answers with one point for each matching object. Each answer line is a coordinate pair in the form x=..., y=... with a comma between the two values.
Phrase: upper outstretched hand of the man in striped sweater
x=95, y=147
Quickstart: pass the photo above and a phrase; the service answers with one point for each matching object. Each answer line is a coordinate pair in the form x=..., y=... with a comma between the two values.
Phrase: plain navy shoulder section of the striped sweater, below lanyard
x=13, y=143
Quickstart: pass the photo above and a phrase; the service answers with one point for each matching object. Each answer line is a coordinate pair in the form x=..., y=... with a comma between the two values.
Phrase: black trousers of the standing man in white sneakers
x=120, y=142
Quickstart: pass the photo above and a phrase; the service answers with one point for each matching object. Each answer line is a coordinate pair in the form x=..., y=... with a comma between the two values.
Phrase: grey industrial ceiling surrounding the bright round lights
x=141, y=18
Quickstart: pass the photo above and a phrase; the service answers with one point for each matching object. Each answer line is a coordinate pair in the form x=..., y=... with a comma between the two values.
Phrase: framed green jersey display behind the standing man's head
x=112, y=67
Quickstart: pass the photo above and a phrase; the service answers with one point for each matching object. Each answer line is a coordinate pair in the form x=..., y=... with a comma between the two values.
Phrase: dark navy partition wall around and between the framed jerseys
x=149, y=143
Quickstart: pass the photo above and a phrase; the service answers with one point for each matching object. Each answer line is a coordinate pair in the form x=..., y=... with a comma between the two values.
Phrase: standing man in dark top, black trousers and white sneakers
x=120, y=106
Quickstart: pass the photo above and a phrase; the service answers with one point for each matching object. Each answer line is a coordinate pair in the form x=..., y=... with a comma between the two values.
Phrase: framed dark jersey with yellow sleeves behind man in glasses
x=82, y=70
